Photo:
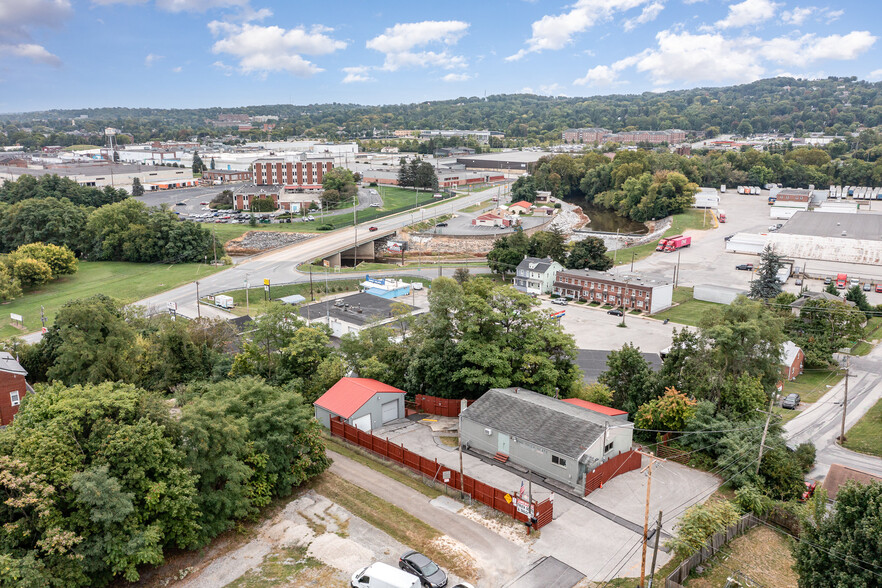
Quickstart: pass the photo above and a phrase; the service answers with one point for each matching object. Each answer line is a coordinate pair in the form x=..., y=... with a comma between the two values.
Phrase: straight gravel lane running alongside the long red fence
x=498, y=558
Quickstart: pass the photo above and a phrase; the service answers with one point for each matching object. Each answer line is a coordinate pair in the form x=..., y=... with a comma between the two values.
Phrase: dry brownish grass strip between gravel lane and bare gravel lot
x=400, y=525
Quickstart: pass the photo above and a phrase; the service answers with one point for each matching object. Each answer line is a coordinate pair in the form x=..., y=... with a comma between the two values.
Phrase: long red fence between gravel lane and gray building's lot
x=484, y=493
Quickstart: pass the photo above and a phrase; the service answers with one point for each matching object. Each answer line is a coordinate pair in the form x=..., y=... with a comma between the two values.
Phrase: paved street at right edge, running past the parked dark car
x=821, y=422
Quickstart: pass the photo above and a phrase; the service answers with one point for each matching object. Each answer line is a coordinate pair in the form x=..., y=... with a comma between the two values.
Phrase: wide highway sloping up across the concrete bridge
x=279, y=266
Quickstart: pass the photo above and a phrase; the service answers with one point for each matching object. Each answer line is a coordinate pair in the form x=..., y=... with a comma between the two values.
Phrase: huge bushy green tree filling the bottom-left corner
x=111, y=453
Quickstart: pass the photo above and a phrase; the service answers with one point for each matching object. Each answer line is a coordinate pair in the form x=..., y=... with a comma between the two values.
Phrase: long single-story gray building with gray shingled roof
x=550, y=437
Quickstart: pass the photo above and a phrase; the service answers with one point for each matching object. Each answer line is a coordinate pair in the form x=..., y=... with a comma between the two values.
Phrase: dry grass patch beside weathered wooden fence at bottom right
x=762, y=554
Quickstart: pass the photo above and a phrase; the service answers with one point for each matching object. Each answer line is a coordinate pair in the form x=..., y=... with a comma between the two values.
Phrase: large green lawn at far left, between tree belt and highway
x=126, y=281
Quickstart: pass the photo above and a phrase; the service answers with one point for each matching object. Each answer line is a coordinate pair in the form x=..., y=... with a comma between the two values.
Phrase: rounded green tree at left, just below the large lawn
x=91, y=342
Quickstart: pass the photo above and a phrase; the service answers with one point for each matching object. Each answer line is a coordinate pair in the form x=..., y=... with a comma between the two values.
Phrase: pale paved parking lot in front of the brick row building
x=594, y=329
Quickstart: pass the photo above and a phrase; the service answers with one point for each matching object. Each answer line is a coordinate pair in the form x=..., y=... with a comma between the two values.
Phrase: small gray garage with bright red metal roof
x=360, y=402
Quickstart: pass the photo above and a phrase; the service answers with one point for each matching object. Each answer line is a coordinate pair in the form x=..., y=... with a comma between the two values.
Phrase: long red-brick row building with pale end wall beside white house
x=625, y=290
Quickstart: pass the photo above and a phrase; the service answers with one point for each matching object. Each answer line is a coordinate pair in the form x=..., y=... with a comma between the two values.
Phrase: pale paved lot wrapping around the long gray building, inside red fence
x=596, y=534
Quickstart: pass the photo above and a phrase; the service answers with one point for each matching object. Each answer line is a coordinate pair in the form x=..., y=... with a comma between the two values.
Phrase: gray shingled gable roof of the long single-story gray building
x=539, y=419
